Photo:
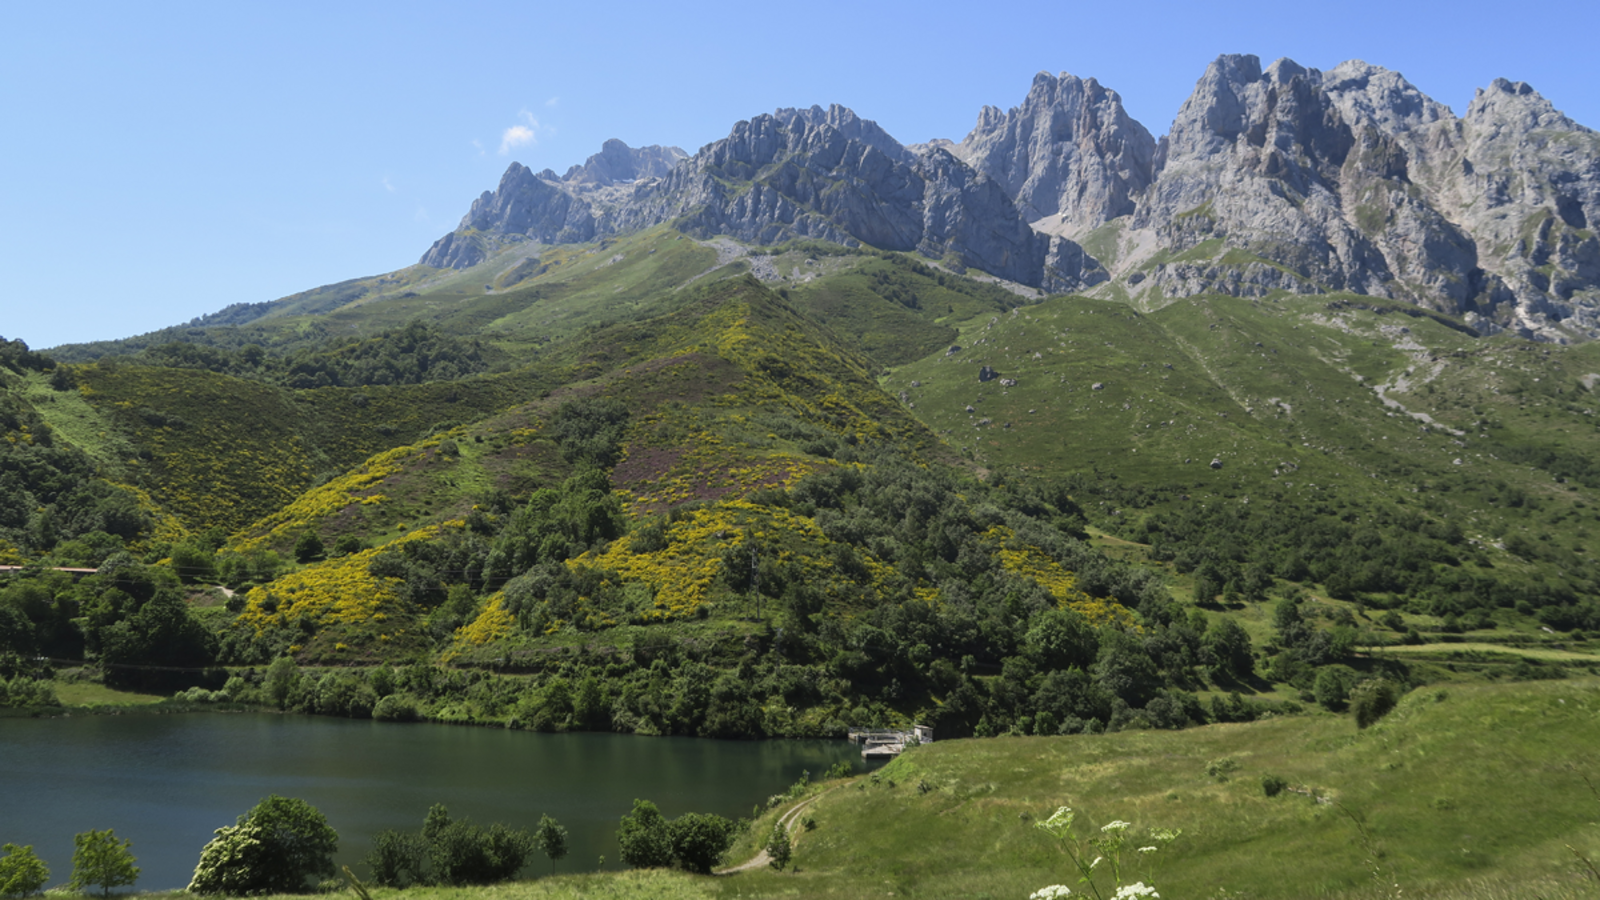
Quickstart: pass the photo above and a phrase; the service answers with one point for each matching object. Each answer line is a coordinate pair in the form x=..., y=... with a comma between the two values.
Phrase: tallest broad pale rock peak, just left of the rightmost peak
x=1314, y=188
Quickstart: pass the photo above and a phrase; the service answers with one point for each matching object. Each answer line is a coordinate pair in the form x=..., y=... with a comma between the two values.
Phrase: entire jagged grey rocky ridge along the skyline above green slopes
x=1278, y=179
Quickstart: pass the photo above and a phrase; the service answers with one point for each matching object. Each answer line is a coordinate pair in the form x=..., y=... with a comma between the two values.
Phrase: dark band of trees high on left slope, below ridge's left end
x=414, y=355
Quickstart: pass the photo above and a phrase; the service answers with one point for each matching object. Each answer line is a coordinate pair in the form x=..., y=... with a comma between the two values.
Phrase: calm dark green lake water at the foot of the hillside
x=169, y=782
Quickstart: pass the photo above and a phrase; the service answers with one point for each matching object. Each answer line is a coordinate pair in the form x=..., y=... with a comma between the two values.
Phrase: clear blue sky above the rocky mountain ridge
x=162, y=161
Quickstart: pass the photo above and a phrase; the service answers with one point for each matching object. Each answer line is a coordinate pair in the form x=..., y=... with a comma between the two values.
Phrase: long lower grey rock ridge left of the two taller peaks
x=815, y=174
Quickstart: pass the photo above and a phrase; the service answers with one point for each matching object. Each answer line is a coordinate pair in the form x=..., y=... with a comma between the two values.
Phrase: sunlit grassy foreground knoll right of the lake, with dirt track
x=1470, y=794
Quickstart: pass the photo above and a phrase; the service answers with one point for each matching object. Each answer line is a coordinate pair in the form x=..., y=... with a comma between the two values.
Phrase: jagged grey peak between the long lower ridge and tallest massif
x=1070, y=156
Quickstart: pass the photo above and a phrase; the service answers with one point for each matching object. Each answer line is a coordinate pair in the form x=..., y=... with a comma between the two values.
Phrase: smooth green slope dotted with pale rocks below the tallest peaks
x=1282, y=395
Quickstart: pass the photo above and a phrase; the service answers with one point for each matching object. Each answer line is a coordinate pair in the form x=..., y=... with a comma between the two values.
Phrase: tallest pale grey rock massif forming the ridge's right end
x=1297, y=180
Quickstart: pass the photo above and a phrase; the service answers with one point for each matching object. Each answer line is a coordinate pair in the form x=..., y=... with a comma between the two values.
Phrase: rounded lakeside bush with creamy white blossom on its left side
x=274, y=850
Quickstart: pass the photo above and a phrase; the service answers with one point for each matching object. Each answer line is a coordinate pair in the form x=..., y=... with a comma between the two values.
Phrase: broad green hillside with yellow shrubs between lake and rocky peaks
x=678, y=488
